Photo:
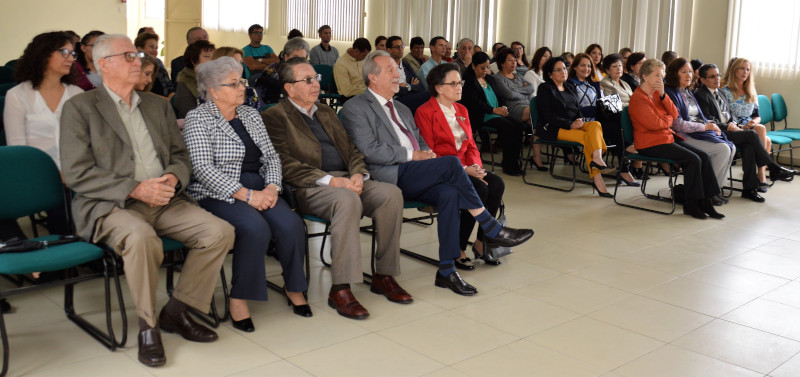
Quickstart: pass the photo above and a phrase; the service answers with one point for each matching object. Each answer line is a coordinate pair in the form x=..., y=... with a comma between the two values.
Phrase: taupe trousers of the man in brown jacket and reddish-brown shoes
x=383, y=202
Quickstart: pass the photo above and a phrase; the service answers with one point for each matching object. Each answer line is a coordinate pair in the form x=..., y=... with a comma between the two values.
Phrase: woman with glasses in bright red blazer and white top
x=444, y=124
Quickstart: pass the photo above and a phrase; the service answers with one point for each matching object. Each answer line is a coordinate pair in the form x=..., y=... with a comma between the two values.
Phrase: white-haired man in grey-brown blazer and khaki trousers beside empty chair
x=124, y=157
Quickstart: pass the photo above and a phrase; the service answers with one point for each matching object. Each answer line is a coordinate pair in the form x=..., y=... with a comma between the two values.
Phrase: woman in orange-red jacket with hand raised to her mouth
x=652, y=114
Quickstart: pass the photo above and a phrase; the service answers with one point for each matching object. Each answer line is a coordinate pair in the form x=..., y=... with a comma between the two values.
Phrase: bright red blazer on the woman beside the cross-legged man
x=434, y=129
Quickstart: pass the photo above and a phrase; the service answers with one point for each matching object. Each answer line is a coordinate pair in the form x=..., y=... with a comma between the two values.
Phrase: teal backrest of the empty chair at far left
x=31, y=182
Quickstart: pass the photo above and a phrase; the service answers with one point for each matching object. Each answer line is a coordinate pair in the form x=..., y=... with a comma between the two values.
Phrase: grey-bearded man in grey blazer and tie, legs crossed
x=385, y=132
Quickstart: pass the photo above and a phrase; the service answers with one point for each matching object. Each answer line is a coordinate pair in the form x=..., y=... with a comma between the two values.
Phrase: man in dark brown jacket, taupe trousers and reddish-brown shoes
x=333, y=183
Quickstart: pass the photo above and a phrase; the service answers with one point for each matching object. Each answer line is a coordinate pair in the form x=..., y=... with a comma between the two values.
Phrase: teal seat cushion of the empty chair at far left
x=53, y=258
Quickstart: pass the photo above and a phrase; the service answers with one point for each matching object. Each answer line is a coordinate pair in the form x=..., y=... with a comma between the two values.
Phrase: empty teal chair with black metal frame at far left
x=30, y=184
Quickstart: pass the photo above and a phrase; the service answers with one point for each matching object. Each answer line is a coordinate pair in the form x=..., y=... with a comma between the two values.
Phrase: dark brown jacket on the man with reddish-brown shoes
x=299, y=149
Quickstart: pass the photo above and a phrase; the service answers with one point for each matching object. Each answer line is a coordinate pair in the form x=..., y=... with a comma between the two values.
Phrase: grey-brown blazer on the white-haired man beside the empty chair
x=97, y=158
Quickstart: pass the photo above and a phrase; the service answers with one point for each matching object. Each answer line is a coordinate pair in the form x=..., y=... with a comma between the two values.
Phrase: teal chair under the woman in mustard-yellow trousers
x=553, y=147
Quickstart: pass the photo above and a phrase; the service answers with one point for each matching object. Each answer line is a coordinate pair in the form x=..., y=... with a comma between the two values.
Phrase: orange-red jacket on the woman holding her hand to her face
x=652, y=119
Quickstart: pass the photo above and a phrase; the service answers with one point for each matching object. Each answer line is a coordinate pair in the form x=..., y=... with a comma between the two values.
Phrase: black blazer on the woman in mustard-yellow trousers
x=556, y=112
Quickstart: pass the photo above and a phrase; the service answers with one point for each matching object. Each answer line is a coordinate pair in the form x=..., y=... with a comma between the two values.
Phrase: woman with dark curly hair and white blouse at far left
x=33, y=108
